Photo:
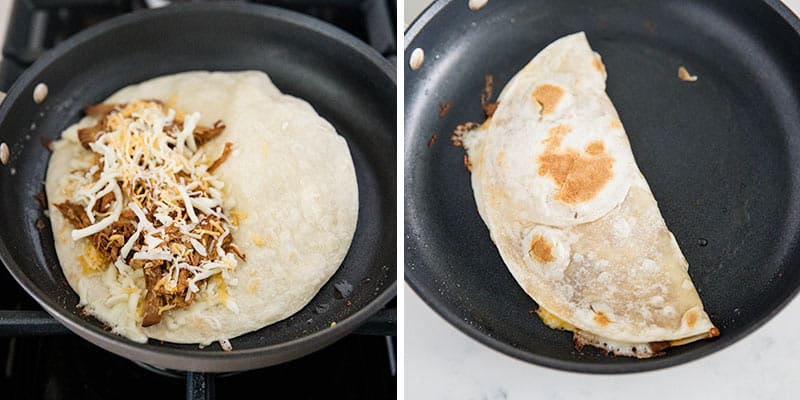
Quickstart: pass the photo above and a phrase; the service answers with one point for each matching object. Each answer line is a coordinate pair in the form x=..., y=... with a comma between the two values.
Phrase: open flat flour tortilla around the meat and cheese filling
x=290, y=174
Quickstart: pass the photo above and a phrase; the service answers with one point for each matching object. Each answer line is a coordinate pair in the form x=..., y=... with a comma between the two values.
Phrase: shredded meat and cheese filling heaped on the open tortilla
x=151, y=206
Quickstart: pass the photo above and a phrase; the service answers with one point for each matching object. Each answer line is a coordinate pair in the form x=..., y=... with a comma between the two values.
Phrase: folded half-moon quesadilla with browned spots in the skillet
x=574, y=220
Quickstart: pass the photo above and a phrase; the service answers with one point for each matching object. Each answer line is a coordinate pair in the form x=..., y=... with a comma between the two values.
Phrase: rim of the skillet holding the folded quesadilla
x=436, y=304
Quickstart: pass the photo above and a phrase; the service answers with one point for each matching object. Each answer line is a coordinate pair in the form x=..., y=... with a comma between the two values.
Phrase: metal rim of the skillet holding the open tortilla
x=189, y=358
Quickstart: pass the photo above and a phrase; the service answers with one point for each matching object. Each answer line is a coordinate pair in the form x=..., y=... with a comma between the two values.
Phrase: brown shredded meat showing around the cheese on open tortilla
x=162, y=292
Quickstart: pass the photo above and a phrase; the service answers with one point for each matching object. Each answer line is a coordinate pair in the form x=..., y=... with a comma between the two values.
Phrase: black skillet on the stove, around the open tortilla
x=347, y=82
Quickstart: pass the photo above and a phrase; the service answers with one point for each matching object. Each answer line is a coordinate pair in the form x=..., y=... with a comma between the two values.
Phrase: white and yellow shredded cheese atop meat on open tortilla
x=149, y=160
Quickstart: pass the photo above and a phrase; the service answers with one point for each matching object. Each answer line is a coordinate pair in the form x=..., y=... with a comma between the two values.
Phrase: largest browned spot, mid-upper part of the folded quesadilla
x=579, y=176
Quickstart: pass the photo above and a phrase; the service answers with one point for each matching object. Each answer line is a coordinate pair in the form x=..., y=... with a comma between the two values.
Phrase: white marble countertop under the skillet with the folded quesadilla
x=443, y=363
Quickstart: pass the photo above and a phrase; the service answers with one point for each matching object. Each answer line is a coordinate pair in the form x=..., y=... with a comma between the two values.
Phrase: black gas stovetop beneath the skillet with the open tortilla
x=40, y=359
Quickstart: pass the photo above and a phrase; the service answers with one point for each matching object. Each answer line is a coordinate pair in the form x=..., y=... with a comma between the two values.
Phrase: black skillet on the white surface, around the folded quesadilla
x=722, y=156
